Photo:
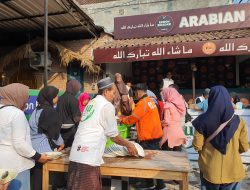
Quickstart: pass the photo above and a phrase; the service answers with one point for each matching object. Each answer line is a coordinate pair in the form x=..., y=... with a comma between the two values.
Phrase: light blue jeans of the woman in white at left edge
x=21, y=182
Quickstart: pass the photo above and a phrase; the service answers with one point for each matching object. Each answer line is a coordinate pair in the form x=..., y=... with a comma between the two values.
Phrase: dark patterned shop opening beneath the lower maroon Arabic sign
x=210, y=71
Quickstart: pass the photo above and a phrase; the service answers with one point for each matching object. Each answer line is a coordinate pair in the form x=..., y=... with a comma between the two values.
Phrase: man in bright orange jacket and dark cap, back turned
x=148, y=127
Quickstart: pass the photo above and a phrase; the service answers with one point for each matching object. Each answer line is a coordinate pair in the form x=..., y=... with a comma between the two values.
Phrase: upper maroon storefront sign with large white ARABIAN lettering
x=180, y=22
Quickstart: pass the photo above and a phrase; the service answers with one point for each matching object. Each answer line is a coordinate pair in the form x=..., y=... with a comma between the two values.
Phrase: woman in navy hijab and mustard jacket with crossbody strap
x=219, y=139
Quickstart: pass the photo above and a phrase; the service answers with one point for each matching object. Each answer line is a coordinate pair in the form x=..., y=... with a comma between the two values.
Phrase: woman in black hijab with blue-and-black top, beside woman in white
x=45, y=127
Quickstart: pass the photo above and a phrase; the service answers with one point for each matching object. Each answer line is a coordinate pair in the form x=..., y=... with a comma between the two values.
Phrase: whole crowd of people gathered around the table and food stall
x=85, y=123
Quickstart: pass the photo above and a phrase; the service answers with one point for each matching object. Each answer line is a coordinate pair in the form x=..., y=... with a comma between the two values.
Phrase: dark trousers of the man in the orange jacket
x=152, y=145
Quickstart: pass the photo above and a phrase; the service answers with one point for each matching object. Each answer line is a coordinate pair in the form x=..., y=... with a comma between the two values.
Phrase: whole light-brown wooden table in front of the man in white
x=167, y=165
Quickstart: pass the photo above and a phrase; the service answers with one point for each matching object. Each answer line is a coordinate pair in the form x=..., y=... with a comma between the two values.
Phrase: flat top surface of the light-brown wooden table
x=154, y=160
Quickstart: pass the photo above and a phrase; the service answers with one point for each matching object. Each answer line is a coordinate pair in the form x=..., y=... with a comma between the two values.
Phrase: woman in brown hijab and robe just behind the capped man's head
x=121, y=101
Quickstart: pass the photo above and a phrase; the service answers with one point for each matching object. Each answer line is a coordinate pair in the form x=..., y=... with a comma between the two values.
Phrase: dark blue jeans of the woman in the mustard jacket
x=206, y=185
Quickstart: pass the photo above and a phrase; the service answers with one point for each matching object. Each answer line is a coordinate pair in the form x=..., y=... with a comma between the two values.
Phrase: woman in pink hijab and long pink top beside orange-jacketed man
x=174, y=111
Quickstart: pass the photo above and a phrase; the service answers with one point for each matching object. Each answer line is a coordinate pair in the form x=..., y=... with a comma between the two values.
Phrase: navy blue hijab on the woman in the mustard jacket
x=220, y=110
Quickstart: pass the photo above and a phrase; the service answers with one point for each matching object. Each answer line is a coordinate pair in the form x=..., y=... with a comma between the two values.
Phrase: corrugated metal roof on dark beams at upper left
x=65, y=18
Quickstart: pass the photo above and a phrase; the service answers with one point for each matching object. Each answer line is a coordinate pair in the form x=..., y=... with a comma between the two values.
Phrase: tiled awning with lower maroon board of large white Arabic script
x=216, y=43
